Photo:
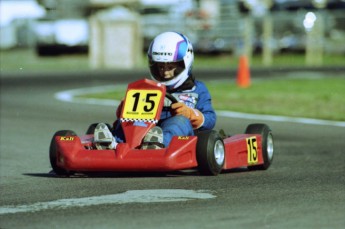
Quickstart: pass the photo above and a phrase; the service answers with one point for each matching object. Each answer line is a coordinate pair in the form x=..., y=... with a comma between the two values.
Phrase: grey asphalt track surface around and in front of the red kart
x=304, y=187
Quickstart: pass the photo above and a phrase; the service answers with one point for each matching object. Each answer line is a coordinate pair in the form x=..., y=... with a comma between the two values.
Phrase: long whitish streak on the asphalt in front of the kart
x=133, y=196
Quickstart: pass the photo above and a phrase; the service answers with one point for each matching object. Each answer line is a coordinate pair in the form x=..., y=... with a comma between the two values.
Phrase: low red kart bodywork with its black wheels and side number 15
x=207, y=151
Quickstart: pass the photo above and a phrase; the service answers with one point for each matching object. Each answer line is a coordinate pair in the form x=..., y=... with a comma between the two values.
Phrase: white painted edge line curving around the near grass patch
x=71, y=96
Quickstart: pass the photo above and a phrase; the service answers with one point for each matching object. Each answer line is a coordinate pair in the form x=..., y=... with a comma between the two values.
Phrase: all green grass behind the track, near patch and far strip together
x=322, y=98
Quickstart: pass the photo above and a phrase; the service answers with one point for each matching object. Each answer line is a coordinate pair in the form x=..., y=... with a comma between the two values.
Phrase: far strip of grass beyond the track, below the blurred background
x=25, y=60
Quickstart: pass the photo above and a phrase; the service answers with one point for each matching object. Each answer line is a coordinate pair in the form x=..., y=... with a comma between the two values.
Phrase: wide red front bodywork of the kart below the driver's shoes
x=73, y=156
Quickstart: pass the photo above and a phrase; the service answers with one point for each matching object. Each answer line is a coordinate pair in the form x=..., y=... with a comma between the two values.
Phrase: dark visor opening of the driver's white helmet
x=165, y=71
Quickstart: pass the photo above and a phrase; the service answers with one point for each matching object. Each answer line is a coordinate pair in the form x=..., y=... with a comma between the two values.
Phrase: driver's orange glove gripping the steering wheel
x=194, y=115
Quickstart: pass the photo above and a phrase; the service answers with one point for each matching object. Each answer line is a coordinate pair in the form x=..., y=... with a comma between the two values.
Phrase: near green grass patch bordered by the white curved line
x=321, y=98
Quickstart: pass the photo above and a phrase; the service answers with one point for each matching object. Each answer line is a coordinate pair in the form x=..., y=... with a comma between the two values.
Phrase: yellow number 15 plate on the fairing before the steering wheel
x=141, y=104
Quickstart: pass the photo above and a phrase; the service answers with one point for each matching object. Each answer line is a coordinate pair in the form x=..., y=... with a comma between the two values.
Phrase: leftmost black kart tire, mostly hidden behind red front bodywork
x=53, y=154
